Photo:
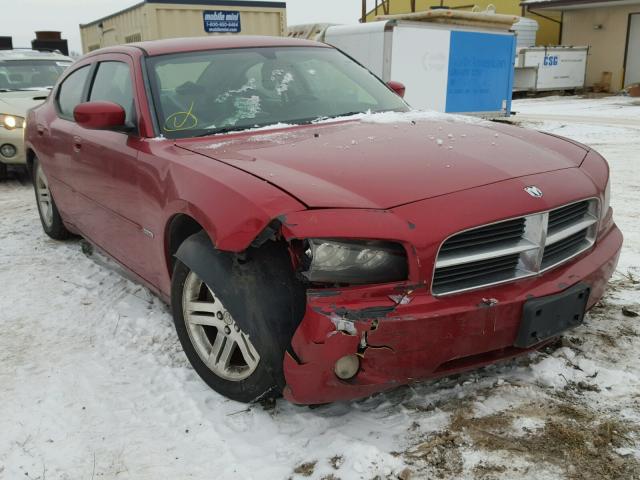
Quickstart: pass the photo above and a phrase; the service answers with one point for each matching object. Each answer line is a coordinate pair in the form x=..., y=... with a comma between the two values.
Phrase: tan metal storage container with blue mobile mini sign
x=157, y=19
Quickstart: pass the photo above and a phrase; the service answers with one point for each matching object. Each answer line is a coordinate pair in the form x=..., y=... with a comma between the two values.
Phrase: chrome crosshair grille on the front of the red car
x=514, y=248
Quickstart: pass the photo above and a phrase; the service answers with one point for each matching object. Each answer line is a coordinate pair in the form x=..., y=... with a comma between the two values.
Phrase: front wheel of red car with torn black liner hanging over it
x=257, y=300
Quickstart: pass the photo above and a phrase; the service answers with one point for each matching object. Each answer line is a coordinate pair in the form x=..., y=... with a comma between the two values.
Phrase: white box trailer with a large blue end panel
x=448, y=68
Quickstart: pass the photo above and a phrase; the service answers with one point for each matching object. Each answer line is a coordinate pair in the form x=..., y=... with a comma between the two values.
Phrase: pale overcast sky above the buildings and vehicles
x=20, y=18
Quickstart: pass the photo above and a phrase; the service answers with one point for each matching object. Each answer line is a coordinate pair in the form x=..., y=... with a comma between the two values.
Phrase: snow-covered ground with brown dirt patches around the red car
x=93, y=383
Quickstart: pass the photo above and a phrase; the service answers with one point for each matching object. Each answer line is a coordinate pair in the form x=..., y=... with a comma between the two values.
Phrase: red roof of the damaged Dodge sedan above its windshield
x=193, y=44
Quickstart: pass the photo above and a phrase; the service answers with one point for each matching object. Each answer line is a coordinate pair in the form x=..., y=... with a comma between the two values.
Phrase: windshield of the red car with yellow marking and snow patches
x=201, y=93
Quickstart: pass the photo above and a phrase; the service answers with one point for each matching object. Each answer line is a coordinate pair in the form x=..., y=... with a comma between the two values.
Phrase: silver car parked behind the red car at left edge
x=26, y=76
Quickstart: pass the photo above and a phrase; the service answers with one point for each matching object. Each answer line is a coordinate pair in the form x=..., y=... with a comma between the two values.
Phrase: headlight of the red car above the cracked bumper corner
x=353, y=261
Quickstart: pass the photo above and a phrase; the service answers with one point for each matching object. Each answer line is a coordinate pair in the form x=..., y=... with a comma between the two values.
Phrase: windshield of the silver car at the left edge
x=30, y=74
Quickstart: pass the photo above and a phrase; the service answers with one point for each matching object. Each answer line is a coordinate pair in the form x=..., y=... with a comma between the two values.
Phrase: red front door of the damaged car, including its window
x=107, y=161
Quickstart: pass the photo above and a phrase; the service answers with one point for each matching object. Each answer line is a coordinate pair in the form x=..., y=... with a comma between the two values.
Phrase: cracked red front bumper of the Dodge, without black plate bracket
x=429, y=336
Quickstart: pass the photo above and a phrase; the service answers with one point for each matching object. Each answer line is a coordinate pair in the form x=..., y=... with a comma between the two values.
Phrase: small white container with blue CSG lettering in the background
x=551, y=68
